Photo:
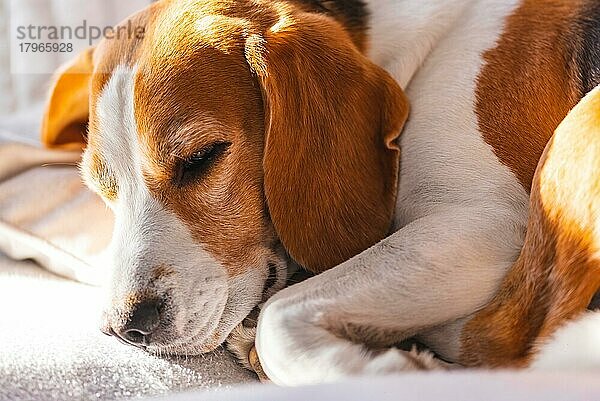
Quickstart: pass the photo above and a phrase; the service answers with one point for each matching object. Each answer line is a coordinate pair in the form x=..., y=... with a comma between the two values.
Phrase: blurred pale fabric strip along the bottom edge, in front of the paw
x=464, y=386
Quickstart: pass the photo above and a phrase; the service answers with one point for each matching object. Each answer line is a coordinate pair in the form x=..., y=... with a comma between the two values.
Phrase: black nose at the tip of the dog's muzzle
x=143, y=320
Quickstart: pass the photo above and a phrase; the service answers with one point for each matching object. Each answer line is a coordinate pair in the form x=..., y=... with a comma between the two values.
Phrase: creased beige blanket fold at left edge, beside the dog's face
x=46, y=214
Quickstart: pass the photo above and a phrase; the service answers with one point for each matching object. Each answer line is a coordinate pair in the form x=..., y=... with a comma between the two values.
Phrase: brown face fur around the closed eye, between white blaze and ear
x=225, y=210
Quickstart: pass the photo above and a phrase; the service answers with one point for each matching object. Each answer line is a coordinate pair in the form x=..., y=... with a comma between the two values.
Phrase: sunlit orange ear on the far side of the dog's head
x=66, y=115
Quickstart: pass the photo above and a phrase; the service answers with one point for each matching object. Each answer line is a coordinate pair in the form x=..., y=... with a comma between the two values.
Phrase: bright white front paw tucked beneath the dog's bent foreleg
x=296, y=349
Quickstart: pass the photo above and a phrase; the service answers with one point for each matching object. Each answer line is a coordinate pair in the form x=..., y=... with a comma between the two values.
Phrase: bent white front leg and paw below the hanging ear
x=344, y=321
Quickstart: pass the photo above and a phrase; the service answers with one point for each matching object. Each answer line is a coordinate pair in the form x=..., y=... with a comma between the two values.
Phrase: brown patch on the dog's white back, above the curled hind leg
x=529, y=83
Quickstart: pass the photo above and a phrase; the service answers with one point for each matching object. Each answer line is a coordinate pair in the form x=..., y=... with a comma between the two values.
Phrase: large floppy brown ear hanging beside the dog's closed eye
x=331, y=160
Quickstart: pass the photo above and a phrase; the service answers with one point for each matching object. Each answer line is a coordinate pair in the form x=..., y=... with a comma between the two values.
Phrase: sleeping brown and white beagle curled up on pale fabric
x=239, y=138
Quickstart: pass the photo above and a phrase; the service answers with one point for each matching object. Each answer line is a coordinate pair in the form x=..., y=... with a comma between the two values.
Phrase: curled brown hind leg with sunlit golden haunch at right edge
x=558, y=271
